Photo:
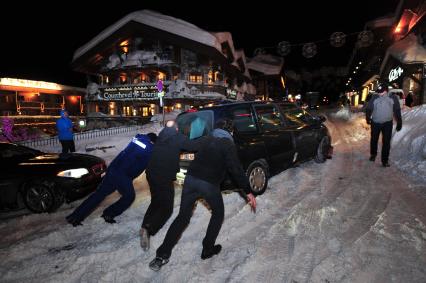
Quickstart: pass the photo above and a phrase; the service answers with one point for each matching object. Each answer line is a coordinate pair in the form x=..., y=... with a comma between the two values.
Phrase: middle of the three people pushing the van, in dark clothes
x=160, y=174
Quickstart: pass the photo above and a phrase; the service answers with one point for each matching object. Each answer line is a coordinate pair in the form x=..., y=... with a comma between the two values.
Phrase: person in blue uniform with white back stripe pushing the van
x=128, y=165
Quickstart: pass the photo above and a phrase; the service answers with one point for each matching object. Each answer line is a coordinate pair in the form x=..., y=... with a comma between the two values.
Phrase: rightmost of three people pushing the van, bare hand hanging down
x=216, y=156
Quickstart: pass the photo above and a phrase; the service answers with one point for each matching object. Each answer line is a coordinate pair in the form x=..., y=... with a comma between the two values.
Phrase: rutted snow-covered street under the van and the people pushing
x=347, y=220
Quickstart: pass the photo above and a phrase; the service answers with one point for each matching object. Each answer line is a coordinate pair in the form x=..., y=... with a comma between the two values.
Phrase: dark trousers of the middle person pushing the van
x=161, y=206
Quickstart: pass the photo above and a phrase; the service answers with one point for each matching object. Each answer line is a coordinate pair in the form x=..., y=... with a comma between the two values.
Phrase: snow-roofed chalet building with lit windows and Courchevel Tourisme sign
x=147, y=55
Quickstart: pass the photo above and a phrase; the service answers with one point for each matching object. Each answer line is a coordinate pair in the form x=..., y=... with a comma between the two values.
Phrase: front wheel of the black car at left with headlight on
x=40, y=197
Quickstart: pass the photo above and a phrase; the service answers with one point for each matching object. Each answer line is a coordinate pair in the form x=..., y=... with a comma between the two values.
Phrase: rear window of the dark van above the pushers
x=195, y=124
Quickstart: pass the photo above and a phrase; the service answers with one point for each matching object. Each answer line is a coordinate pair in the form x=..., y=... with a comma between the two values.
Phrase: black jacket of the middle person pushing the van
x=164, y=163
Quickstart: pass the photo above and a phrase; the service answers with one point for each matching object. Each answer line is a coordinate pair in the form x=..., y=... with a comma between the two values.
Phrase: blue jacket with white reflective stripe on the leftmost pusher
x=133, y=160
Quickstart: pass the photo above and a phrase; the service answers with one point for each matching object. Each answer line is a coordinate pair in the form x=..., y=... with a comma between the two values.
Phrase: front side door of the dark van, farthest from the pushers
x=304, y=128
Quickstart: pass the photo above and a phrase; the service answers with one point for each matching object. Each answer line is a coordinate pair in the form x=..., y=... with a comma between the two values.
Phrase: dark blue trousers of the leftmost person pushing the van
x=112, y=181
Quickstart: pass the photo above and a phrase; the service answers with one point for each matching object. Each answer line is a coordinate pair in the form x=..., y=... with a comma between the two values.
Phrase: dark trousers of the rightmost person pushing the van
x=193, y=190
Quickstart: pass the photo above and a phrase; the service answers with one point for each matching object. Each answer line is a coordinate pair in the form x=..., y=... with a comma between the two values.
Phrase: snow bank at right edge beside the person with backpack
x=408, y=149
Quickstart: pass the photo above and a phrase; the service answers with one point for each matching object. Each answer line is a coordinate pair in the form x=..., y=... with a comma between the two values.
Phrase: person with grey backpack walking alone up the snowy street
x=380, y=111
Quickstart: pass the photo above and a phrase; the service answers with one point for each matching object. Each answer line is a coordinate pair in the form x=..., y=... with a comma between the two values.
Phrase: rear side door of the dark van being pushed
x=277, y=138
